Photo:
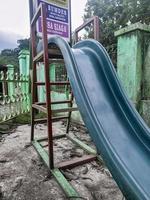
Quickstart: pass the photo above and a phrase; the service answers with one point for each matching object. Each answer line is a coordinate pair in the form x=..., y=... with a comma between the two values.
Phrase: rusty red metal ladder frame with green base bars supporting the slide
x=48, y=158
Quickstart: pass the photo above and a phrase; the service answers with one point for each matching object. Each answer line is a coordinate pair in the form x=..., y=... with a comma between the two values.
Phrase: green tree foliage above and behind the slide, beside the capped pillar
x=116, y=14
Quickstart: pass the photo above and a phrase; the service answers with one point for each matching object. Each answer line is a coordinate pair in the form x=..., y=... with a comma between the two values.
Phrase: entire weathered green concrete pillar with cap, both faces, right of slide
x=133, y=65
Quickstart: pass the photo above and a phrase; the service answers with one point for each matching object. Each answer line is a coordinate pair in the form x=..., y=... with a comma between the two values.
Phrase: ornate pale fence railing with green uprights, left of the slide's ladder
x=14, y=97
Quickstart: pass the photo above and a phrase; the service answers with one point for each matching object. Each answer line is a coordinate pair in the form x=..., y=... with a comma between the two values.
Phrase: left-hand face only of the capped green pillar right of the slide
x=129, y=60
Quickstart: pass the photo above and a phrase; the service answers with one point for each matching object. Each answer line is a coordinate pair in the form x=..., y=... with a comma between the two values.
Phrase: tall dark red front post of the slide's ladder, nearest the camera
x=48, y=87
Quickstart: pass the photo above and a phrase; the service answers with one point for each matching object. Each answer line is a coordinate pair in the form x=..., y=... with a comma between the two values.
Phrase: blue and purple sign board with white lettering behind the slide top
x=58, y=17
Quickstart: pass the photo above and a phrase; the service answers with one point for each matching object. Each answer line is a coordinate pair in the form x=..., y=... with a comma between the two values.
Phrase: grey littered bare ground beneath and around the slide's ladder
x=24, y=177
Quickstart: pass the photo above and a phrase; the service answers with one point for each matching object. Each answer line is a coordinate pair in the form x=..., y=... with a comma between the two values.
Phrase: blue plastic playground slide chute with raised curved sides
x=119, y=133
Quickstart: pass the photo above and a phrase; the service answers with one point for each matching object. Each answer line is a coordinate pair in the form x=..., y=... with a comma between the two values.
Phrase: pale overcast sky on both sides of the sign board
x=14, y=19
